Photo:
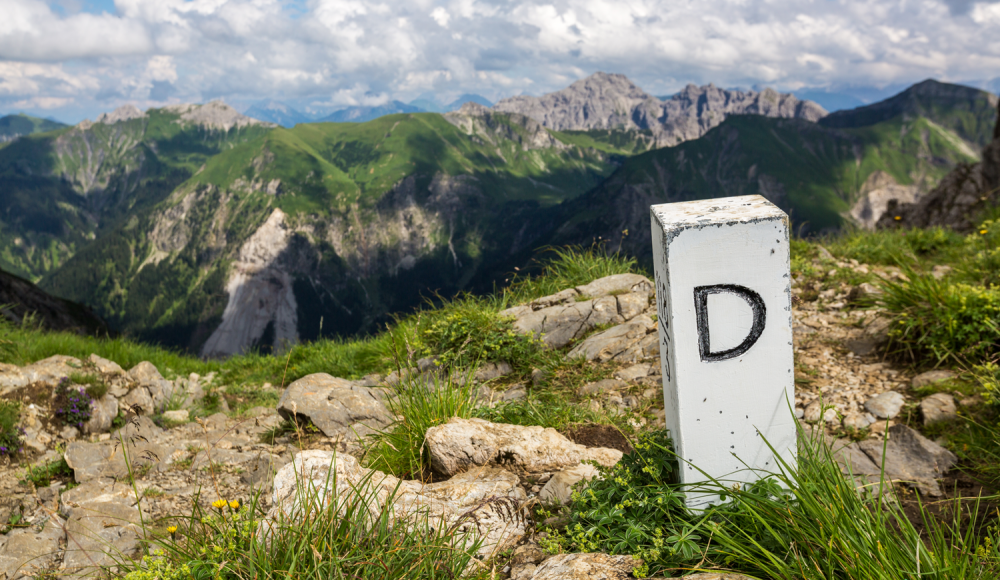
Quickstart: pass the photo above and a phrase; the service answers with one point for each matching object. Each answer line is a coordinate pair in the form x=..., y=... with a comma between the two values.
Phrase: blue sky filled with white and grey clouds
x=73, y=59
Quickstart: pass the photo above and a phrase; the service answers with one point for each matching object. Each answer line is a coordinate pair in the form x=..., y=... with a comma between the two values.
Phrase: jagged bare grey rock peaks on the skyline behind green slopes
x=612, y=101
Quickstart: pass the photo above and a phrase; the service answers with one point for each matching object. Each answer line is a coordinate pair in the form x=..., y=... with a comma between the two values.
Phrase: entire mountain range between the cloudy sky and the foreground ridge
x=201, y=228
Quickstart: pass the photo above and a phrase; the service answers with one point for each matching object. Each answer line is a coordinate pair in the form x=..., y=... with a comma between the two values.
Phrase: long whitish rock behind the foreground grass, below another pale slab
x=484, y=501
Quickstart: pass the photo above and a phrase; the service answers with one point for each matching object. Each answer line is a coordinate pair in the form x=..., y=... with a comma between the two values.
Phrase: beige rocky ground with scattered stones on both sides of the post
x=843, y=385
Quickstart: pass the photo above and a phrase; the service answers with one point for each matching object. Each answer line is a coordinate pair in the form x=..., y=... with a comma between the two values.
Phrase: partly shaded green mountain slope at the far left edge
x=61, y=189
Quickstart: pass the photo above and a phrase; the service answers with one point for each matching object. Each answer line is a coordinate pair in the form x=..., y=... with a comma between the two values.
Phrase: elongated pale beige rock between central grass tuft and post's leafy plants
x=461, y=444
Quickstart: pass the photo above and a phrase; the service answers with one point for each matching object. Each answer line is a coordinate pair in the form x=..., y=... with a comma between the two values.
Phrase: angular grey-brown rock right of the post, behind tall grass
x=910, y=458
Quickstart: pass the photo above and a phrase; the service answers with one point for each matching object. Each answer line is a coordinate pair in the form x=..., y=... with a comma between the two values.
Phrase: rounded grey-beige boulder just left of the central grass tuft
x=335, y=406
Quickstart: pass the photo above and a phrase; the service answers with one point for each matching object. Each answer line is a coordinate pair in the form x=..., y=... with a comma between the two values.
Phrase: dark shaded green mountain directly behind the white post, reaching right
x=821, y=175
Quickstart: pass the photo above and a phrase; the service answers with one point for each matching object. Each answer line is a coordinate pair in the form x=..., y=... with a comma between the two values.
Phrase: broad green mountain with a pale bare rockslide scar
x=329, y=227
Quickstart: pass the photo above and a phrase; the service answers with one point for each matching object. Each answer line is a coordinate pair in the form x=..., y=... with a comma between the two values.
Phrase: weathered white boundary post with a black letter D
x=725, y=322
